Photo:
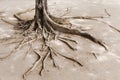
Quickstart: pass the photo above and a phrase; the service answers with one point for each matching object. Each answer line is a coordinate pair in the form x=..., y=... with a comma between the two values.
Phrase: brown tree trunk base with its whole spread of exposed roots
x=48, y=27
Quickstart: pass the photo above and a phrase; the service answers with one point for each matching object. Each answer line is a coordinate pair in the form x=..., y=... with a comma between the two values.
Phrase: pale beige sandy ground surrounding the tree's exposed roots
x=102, y=65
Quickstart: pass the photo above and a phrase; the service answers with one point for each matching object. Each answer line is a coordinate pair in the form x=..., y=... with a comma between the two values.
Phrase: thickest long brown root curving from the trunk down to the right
x=61, y=28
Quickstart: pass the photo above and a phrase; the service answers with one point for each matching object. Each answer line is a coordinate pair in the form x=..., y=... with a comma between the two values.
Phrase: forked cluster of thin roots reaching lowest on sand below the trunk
x=41, y=60
